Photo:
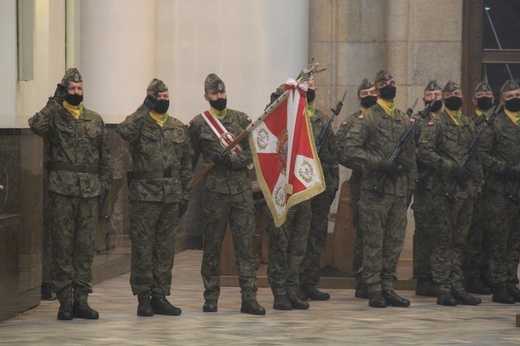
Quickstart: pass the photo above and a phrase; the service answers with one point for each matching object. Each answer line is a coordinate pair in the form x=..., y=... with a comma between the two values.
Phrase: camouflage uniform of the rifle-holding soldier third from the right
x=442, y=145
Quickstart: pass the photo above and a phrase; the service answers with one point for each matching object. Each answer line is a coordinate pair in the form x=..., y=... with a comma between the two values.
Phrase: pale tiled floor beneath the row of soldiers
x=344, y=320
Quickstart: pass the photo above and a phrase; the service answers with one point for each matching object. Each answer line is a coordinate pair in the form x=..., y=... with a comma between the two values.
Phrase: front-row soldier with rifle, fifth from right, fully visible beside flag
x=382, y=214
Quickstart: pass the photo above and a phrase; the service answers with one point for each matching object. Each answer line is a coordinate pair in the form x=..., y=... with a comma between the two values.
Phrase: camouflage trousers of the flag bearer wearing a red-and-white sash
x=218, y=210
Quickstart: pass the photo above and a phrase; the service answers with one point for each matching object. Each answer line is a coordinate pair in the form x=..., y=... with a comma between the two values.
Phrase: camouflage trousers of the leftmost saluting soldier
x=73, y=228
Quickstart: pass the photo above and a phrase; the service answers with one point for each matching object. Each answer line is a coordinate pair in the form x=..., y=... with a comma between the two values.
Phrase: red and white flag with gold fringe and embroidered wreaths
x=286, y=161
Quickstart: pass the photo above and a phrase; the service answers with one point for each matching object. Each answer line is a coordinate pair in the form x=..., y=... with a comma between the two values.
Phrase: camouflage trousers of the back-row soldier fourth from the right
x=423, y=235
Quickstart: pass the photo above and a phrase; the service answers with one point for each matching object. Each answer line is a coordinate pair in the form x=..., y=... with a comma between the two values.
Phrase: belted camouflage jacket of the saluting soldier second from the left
x=158, y=149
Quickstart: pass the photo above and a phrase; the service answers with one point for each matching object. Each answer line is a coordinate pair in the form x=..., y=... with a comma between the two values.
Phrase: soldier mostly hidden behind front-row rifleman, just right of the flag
x=367, y=97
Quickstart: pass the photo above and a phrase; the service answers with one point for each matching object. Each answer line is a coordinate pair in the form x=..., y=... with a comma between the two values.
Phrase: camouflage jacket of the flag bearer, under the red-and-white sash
x=204, y=141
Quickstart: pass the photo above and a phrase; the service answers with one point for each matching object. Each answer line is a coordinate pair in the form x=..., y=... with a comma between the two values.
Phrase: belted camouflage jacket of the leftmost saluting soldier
x=72, y=141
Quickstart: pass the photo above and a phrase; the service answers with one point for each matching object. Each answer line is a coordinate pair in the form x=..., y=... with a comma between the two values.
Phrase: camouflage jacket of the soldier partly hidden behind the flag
x=330, y=171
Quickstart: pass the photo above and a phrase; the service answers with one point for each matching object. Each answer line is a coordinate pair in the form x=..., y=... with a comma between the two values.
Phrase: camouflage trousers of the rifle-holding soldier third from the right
x=452, y=221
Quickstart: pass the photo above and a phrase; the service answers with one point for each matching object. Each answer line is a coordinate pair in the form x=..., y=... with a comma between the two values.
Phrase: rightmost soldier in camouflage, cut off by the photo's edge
x=501, y=158
